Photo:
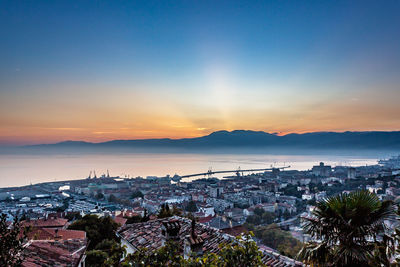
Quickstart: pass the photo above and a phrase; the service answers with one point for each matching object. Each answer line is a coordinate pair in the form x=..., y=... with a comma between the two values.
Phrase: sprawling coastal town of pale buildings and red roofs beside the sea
x=269, y=203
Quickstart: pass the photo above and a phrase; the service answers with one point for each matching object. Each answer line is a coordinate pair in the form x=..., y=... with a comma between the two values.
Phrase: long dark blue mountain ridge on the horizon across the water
x=247, y=139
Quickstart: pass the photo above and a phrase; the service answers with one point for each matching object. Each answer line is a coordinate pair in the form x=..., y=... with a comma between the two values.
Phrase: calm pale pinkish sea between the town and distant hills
x=18, y=170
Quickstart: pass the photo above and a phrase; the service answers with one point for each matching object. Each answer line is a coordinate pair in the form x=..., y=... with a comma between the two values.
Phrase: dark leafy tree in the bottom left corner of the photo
x=11, y=242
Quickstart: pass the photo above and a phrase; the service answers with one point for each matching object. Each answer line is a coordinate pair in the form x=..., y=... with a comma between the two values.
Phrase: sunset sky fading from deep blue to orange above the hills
x=103, y=70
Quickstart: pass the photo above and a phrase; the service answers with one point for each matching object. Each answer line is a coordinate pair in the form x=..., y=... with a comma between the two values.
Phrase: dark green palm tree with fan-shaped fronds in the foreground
x=348, y=230
